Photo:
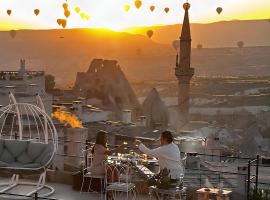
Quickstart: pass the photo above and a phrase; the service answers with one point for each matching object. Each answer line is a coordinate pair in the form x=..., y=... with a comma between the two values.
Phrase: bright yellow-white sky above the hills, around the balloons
x=111, y=14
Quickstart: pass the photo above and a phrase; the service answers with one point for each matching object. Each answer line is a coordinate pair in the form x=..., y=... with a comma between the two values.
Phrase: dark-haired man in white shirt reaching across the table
x=168, y=154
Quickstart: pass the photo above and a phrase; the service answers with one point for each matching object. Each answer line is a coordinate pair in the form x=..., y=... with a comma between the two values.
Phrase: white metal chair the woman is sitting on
x=88, y=175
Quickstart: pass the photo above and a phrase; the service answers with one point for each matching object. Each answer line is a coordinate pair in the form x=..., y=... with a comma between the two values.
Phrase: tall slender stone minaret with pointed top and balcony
x=183, y=71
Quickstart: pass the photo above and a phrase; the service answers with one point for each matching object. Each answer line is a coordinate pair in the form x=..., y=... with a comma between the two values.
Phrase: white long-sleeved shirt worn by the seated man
x=168, y=157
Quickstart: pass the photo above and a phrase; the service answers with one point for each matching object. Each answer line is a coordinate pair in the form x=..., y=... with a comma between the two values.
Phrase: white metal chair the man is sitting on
x=177, y=192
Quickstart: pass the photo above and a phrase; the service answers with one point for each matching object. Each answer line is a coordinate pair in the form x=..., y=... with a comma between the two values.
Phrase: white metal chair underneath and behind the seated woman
x=87, y=174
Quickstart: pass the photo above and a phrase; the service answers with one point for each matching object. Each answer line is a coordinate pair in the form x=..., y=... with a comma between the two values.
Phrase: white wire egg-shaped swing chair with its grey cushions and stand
x=28, y=144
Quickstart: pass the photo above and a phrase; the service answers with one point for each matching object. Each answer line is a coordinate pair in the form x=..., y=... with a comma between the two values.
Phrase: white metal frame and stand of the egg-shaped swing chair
x=47, y=128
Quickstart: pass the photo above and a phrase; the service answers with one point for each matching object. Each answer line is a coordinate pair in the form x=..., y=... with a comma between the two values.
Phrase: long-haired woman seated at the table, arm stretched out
x=100, y=152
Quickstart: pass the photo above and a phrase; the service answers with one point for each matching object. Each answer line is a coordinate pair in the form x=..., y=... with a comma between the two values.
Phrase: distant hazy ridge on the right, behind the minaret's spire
x=218, y=34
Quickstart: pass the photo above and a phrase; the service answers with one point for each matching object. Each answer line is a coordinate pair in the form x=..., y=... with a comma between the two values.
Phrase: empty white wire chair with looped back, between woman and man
x=118, y=181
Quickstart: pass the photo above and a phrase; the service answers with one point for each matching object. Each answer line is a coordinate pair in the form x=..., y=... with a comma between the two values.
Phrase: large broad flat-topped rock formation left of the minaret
x=105, y=81
